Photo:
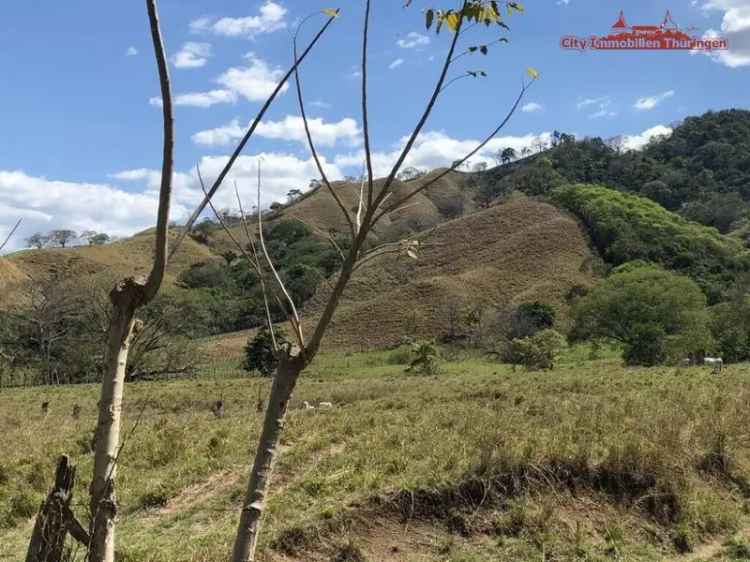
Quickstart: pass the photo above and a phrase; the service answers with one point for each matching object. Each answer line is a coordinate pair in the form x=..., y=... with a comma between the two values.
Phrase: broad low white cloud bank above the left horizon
x=47, y=204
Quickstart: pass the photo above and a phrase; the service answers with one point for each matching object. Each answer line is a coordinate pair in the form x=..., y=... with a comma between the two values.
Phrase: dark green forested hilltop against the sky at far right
x=701, y=171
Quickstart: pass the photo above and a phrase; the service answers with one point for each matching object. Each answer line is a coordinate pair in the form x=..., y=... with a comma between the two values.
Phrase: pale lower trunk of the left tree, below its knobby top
x=125, y=298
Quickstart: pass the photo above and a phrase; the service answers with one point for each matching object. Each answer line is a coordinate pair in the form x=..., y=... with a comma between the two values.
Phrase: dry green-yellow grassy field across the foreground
x=480, y=463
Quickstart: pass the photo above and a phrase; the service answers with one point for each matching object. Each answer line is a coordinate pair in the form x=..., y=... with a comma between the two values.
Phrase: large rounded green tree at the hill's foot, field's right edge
x=656, y=315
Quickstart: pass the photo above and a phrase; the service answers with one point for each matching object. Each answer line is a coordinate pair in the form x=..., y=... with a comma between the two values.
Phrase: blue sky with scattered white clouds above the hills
x=81, y=129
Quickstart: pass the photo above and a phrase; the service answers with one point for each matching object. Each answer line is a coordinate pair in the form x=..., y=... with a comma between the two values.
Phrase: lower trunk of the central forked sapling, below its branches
x=254, y=505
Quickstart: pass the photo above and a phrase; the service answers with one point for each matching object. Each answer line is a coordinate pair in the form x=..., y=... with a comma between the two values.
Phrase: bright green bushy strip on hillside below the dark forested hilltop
x=626, y=227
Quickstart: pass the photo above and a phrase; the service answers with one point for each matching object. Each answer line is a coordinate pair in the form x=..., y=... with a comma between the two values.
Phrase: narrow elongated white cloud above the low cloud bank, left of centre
x=291, y=128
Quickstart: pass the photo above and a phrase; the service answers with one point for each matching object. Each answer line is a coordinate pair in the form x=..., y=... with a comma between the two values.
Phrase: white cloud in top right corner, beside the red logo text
x=735, y=27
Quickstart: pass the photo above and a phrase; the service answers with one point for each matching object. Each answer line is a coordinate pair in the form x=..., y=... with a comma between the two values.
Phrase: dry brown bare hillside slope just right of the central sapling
x=520, y=251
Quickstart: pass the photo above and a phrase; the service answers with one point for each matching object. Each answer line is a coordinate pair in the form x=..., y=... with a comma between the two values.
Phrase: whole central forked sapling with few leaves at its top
x=373, y=205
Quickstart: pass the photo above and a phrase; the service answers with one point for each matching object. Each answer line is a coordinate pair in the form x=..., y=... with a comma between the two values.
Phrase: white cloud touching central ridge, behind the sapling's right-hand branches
x=436, y=149
